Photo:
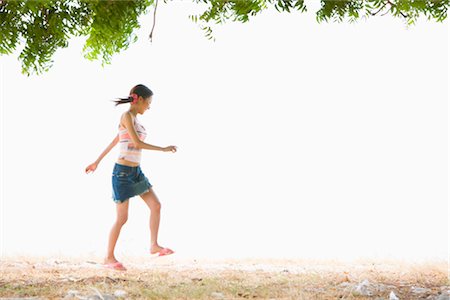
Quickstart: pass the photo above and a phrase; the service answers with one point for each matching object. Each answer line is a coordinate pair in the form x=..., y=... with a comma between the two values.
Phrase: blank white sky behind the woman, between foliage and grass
x=295, y=140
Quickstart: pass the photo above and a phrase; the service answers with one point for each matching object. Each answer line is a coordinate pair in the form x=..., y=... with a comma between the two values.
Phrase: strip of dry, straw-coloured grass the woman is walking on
x=173, y=278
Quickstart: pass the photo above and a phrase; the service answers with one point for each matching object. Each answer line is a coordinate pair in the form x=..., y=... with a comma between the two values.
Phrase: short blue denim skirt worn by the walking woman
x=128, y=182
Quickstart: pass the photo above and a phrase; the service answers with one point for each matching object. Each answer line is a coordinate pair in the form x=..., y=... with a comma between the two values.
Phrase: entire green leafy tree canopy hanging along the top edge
x=43, y=26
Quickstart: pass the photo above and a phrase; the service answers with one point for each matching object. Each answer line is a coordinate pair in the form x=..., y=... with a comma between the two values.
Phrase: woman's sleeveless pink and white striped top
x=127, y=149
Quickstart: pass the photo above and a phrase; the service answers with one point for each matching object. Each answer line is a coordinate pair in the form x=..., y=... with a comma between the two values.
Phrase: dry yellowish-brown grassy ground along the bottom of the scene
x=54, y=281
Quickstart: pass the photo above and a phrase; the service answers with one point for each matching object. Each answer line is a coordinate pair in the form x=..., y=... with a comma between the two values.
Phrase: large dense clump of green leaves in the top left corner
x=46, y=25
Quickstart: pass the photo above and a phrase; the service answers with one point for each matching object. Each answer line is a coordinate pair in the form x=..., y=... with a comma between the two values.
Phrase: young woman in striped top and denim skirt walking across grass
x=128, y=180
